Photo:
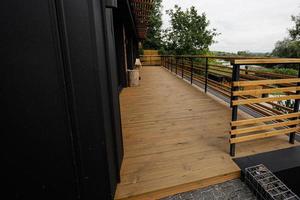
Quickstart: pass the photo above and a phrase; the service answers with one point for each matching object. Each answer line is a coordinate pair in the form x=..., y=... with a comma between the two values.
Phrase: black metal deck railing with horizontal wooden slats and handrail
x=221, y=75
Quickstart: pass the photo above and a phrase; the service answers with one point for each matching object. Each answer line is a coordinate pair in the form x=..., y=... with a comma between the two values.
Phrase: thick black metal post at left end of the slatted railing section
x=235, y=77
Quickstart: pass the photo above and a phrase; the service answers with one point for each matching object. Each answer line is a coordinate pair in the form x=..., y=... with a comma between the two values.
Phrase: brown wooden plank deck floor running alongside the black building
x=176, y=138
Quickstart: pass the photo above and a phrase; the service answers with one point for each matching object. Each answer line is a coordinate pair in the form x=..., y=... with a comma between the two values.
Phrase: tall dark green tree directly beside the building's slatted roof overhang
x=154, y=38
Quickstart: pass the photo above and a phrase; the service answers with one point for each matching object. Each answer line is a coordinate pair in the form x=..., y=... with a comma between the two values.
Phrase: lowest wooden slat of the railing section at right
x=263, y=135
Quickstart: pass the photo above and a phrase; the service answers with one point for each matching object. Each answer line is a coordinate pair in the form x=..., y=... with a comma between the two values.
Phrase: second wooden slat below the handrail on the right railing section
x=265, y=91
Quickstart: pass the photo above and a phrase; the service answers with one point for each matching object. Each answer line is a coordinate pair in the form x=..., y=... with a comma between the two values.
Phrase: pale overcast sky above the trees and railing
x=253, y=25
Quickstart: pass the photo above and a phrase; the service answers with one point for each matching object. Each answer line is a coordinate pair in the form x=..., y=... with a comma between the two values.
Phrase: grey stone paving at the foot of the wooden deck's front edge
x=231, y=190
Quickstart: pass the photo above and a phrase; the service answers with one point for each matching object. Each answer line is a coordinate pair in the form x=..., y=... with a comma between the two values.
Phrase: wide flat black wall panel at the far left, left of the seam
x=36, y=149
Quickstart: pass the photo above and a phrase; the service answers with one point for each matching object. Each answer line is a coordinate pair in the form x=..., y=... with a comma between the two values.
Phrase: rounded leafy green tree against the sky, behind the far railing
x=188, y=33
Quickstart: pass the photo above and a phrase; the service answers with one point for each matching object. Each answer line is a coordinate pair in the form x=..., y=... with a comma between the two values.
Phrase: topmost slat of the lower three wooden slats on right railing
x=264, y=119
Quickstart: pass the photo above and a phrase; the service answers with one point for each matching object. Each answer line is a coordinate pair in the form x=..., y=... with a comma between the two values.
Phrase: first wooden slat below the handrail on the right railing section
x=265, y=82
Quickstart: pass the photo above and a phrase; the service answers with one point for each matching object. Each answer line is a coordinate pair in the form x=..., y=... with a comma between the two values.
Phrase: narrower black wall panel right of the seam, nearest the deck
x=90, y=71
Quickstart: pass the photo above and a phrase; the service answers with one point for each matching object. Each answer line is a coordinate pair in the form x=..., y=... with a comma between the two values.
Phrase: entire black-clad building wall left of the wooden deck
x=61, y=133
